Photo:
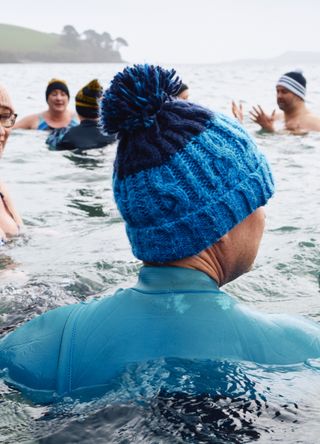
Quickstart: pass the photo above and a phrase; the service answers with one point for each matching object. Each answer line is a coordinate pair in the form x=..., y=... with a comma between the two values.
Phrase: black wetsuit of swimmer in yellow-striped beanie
x=84, y=136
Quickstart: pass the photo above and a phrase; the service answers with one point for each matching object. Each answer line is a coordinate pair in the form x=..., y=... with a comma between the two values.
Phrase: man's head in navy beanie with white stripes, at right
x=291, y=90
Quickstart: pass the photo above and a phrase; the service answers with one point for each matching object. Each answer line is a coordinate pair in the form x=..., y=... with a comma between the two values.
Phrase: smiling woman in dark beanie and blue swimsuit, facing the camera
x=57, y=116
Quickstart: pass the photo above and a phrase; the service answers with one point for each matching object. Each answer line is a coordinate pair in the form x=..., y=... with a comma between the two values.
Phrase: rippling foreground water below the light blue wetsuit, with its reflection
x=162, y=402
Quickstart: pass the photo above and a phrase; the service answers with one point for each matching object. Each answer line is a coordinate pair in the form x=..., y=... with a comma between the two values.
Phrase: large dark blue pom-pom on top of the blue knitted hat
x=135, y=97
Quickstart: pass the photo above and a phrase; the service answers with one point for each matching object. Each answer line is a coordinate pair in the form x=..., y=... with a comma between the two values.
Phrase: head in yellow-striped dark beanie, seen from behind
x=87, y=100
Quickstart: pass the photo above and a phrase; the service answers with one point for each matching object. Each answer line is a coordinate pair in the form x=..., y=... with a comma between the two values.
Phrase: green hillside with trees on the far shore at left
x=18, y=45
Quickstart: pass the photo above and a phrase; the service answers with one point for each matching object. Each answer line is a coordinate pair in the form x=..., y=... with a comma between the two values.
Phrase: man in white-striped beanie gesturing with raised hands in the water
x=291, y=93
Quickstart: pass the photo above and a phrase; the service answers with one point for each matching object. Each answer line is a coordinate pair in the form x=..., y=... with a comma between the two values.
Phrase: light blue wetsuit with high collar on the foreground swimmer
x=171, y=312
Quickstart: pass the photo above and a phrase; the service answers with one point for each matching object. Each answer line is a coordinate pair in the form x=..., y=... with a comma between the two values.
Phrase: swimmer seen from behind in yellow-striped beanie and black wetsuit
x=87, y=135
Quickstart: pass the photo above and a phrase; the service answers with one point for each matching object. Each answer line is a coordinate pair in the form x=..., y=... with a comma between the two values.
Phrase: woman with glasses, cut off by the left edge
x=10, y=220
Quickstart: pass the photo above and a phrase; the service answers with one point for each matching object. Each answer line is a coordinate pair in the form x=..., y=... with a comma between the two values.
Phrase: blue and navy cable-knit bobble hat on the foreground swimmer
x=183, y=175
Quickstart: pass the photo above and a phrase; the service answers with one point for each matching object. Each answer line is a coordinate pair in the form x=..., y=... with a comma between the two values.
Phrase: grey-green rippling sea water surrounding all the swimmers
x=74, y=247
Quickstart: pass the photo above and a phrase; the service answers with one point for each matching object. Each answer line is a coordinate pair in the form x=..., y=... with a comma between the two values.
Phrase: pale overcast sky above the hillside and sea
x=182, y=31
